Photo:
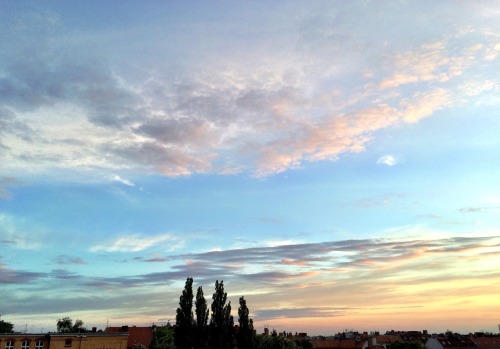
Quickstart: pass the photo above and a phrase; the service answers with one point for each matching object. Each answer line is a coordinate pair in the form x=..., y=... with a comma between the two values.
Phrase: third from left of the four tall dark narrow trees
x=221, y=321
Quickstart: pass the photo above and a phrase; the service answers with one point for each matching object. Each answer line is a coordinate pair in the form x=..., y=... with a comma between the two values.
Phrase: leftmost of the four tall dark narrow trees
x=184, y=318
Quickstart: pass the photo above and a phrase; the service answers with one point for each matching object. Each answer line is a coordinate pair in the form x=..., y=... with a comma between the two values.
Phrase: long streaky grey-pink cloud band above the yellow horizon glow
x=383, y=257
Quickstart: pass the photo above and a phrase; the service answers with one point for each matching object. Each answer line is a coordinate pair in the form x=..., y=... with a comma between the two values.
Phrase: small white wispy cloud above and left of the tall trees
x=137, y=243
